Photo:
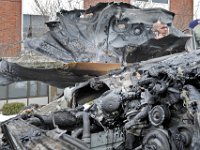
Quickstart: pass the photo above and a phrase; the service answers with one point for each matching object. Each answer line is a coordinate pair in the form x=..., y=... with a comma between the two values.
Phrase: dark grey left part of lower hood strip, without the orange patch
x=59, y=77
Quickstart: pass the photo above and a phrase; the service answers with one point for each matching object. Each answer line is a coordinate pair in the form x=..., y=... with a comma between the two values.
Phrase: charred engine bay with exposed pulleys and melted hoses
x=153, y=104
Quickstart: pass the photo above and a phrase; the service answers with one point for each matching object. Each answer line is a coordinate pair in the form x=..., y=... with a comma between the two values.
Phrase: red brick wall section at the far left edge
x=10, y=27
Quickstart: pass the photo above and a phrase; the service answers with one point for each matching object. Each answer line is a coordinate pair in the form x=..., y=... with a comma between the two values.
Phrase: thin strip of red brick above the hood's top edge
x=88, y=3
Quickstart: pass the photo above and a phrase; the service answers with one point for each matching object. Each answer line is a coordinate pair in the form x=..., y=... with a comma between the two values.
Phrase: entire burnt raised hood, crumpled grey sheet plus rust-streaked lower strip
x=106, y=33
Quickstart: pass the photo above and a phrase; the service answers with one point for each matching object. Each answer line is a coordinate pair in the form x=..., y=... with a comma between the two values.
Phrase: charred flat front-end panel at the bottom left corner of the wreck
x=24, y=136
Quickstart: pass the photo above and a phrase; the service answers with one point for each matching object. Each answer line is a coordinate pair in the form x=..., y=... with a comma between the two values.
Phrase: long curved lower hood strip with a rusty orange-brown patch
x=61, y=76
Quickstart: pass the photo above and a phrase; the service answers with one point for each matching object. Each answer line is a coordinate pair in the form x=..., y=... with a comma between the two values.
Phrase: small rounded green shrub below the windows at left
x=12, y=108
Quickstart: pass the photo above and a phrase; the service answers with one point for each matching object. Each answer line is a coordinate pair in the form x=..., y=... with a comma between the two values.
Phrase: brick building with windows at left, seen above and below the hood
x=14, y=28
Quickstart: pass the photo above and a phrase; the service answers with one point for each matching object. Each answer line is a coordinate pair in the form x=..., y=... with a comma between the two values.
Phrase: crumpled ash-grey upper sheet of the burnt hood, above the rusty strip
x=105, y=32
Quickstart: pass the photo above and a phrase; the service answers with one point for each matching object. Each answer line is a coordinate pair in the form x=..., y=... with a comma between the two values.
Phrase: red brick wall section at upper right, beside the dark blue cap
x=183, y=10
